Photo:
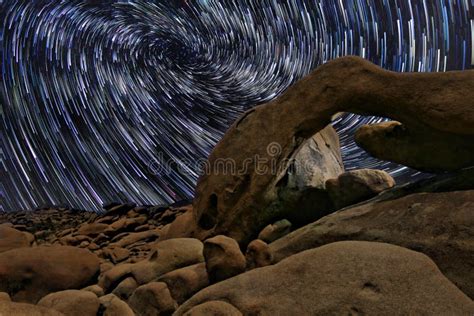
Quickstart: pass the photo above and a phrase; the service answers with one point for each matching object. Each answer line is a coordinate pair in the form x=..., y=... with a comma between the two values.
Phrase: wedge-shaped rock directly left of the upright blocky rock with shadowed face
x=185, y=282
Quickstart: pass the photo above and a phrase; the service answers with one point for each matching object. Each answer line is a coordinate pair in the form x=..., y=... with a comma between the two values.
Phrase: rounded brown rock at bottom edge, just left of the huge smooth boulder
x=152, y=299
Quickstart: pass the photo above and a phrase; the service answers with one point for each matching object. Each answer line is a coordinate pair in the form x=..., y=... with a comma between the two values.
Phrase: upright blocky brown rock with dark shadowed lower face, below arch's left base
x=223, y=258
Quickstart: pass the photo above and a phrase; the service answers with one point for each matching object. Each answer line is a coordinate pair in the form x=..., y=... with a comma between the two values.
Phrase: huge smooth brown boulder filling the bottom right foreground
x=343, y=278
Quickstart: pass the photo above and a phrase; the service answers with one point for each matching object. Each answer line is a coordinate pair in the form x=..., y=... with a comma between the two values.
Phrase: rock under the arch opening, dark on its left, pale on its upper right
x=358, y=185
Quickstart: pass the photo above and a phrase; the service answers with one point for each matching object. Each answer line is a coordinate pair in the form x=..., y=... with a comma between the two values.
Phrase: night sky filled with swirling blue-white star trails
x=97, y=95
